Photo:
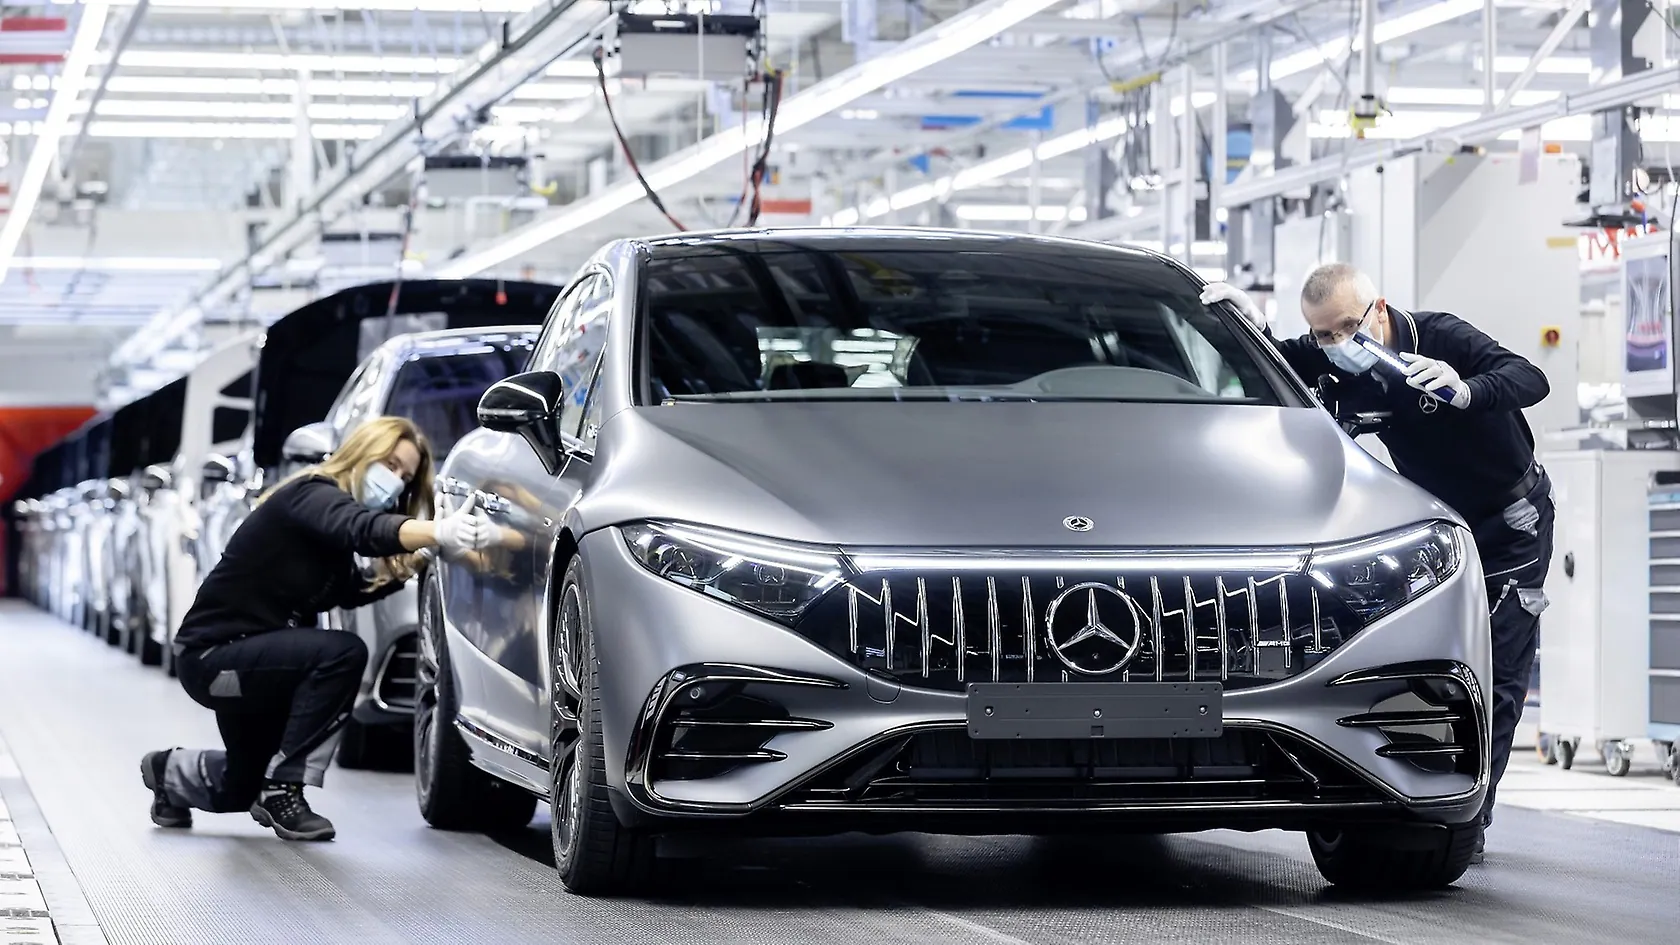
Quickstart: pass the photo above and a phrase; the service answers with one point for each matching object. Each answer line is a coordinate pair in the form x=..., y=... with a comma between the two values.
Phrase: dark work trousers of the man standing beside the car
x=1516, y=551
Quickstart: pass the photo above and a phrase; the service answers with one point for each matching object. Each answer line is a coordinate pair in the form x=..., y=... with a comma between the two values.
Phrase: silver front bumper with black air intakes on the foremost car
x=831, y=741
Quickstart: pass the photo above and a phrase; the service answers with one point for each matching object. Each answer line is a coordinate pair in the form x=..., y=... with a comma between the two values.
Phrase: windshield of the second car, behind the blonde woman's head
x=441, y=393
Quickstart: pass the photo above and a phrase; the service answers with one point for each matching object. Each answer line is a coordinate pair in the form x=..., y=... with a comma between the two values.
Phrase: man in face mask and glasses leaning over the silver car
x=1456, y=428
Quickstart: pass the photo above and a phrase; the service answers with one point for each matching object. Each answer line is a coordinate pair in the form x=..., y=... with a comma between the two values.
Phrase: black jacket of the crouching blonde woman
x=290, y=561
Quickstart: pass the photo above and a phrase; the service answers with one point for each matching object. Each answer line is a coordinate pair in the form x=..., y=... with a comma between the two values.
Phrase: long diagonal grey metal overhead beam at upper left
x=523, y=50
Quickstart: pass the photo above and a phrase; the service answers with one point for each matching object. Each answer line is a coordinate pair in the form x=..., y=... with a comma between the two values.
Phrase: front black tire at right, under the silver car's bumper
x=1395, y=858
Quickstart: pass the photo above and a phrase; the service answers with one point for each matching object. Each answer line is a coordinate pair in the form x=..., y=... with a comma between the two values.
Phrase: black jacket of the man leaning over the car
x=1466, y=458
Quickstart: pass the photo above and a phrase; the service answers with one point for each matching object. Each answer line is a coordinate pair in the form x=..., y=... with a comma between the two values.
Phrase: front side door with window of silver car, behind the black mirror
x=528, y=500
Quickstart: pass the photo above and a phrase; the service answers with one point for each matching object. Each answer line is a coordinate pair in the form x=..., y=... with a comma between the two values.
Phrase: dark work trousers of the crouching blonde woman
x=281, y=700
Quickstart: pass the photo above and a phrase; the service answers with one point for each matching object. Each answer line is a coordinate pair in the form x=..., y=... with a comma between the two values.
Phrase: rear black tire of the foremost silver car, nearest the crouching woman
x=453, y=793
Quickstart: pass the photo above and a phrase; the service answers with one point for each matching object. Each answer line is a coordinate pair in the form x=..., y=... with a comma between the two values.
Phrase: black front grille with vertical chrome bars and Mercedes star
x=943, y=630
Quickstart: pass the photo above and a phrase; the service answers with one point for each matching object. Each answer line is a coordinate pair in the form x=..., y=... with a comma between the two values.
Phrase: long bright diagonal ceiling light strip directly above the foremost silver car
x=928, y=48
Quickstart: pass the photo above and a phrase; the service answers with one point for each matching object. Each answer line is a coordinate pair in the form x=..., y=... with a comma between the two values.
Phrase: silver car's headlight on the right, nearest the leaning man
x=1380, y=576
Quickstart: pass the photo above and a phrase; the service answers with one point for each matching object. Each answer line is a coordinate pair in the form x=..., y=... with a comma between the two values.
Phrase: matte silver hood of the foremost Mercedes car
x=1000, y=475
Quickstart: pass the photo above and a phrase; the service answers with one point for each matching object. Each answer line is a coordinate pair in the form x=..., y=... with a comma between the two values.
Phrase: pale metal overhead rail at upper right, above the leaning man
x=1474, y=132
